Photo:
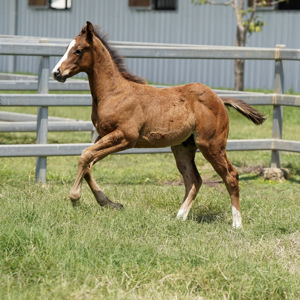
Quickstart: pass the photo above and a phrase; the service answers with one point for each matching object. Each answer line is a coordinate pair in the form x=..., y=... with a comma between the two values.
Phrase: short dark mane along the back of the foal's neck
x=118, y=60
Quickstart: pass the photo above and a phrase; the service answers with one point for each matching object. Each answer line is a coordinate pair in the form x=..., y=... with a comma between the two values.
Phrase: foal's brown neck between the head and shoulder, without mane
x=104, y=77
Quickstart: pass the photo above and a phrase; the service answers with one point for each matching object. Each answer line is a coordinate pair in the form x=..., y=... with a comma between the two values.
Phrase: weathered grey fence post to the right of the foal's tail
x=277, y=109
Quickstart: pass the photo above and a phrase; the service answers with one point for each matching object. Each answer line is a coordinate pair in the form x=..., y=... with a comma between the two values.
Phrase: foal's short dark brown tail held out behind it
x=246, y=110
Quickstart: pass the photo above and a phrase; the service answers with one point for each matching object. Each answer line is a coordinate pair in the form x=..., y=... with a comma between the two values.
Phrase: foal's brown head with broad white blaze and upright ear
x=78, y=57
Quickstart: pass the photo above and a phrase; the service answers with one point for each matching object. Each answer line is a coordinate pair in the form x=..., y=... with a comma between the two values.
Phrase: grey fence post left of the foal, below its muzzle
x=42, y=120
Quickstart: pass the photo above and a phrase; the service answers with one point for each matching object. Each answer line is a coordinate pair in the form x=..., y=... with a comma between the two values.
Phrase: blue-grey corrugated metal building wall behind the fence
x=190, y=24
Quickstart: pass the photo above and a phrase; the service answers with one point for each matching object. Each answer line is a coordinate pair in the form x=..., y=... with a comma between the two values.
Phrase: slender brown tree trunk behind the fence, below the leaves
x=239, y=64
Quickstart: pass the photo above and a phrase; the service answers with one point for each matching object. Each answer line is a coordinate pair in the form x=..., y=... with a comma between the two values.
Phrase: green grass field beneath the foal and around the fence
x=49, y=250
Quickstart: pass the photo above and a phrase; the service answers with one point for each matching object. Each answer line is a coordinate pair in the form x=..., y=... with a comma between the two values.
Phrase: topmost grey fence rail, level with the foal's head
x=144, y=50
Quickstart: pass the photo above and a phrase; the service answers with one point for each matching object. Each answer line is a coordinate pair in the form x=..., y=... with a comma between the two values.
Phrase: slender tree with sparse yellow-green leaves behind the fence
x=247, y=23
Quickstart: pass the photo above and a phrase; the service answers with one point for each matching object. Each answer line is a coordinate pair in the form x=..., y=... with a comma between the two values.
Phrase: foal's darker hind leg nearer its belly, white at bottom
x=184, y=155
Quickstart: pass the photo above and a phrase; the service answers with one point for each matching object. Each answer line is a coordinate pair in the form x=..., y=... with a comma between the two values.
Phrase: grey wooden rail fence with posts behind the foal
x=10, y=45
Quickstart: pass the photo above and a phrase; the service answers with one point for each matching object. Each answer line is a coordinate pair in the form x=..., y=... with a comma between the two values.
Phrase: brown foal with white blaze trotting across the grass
x=128, y=113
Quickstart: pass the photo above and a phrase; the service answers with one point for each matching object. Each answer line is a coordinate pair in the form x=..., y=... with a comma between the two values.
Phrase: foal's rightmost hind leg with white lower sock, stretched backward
x=217, y=156
